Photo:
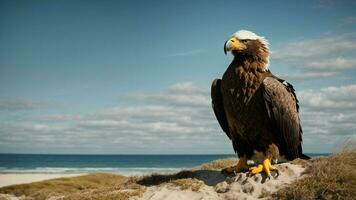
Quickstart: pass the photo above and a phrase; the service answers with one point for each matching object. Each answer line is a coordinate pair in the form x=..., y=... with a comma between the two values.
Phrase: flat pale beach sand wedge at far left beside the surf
x=11, y=179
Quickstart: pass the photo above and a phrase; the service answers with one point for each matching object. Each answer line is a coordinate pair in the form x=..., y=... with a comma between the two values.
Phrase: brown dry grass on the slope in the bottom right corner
x=332, y=177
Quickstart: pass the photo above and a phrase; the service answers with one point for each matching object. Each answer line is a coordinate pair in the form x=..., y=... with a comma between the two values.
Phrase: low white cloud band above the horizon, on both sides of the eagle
x=156, y=123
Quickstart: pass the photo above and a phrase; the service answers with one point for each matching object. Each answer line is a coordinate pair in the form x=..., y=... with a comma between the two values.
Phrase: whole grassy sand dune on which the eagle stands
x=332, y=177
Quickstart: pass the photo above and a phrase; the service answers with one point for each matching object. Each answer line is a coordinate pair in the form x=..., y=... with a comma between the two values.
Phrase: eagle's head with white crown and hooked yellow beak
x=247, y=45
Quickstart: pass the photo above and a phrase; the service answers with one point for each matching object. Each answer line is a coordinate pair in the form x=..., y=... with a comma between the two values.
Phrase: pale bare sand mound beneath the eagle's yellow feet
x=217, y=186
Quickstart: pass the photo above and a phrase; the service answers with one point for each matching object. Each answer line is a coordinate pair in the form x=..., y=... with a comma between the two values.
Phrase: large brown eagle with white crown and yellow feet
x=258, y=111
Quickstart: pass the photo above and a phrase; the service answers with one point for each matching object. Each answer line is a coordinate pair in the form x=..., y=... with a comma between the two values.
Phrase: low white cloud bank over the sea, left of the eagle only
x=178, y=120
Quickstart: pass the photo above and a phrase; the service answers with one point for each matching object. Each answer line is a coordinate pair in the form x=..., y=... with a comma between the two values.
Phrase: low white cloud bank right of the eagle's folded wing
x=328, y=116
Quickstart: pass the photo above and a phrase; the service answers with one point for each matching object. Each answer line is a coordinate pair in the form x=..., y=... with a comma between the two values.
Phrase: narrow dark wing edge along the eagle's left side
x=218, y=106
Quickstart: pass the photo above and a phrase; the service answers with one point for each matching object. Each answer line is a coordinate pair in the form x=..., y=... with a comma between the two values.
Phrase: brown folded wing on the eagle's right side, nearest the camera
x=283, y=111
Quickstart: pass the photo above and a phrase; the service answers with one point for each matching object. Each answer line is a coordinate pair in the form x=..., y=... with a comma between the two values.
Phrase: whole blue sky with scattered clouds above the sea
x=134, y=76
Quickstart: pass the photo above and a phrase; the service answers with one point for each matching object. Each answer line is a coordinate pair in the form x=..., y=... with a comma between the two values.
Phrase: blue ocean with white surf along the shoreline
x=120, y=164
